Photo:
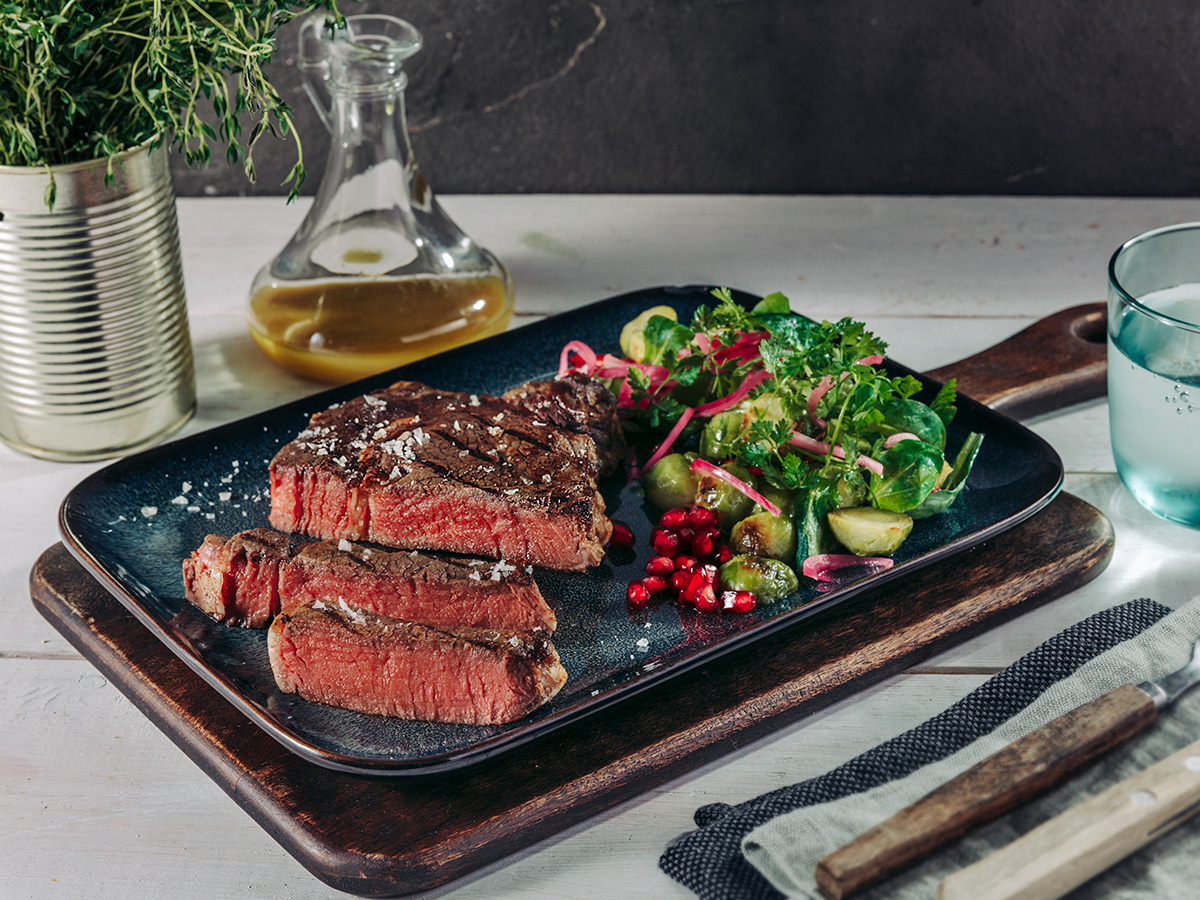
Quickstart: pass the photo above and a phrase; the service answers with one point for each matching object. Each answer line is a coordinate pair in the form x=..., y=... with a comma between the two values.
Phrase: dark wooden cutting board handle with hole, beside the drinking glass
x=1054, y=363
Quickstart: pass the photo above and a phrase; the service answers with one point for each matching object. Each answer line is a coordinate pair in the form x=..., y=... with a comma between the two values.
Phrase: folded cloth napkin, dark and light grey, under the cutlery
x=769, y=848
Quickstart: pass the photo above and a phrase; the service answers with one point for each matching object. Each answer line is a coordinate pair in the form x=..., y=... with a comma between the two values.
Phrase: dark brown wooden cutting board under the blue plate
x=415, y=833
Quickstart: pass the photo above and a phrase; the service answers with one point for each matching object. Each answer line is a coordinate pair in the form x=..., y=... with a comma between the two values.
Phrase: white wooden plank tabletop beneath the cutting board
x=97, y=803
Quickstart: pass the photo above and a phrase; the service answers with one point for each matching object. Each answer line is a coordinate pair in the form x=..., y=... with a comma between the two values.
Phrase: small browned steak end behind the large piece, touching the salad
x=580, y=404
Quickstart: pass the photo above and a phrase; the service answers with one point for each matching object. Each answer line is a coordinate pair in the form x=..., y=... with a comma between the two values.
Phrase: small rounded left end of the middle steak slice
x=237, y=581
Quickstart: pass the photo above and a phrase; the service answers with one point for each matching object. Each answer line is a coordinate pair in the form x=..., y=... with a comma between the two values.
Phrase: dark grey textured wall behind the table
x=785, y=97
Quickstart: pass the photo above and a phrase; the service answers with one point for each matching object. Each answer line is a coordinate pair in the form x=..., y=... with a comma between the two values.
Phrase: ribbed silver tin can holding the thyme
x=95, y=351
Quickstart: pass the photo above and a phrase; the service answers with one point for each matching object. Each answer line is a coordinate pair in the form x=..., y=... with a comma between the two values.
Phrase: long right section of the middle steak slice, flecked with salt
x=418, y=587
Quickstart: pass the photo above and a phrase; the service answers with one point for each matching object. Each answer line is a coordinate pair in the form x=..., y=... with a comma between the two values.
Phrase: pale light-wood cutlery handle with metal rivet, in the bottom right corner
x=1077, y=845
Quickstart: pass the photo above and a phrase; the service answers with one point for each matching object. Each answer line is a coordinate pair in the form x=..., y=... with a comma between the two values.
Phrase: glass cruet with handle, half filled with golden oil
x=377, y=275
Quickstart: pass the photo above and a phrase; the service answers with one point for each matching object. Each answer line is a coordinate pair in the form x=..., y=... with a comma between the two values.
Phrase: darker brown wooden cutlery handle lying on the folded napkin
x=1001, y=783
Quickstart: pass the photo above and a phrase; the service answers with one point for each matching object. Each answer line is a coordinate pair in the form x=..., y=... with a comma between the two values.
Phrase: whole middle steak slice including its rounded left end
x=248, y=579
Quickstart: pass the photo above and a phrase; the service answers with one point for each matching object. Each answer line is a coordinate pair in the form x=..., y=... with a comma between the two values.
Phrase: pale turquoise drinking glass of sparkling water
x=1154, y=362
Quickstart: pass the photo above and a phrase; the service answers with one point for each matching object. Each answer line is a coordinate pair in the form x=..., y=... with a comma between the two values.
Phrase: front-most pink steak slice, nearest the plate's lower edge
x=371, y=664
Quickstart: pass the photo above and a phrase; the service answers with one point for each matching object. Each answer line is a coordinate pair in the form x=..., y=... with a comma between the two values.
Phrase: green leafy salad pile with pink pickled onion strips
x=793, y=410
